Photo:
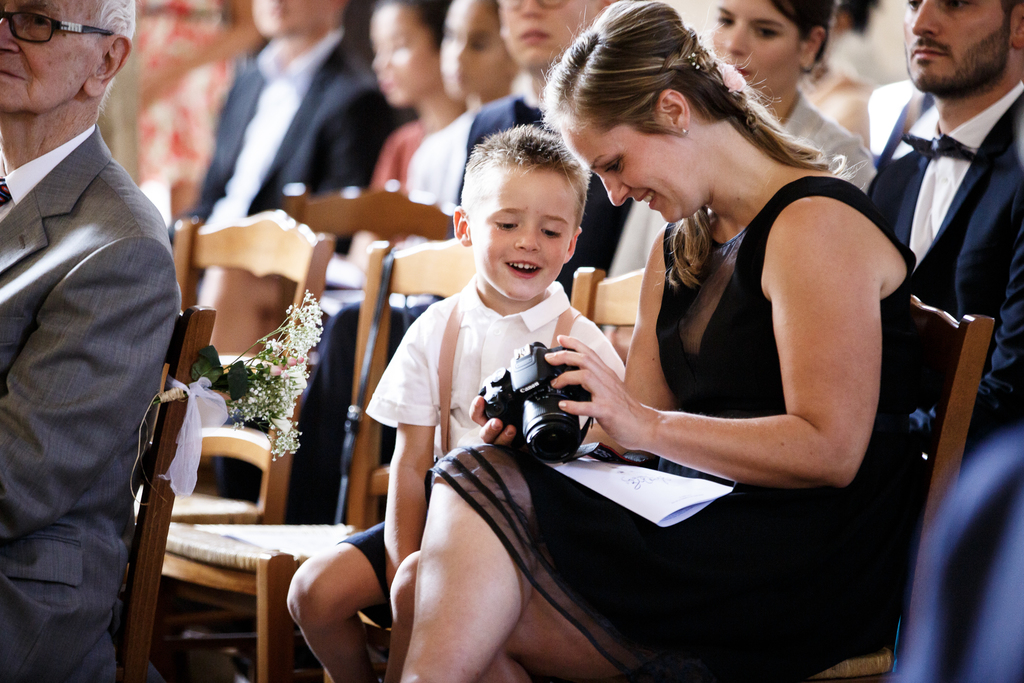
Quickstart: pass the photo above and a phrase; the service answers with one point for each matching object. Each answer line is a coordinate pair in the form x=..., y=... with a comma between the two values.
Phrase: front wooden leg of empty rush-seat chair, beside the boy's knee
x=275, y=628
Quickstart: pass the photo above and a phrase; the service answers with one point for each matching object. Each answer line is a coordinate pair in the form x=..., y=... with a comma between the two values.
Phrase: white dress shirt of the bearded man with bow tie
x=945, y=175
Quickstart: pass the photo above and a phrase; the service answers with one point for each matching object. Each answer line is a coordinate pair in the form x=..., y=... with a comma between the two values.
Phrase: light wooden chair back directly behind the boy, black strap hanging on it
x=441, y=269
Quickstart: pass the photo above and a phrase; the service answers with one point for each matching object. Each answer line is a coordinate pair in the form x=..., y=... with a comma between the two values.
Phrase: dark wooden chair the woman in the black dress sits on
x=958, y=351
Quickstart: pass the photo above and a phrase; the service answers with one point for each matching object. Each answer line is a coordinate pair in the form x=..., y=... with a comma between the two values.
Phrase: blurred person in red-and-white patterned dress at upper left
x=186, y=49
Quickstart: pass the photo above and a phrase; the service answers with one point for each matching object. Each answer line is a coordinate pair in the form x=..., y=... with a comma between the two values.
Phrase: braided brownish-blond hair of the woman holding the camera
x=614, y=75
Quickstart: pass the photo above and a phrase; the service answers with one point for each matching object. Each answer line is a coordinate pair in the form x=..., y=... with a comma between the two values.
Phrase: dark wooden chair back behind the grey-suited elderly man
x=192, y=332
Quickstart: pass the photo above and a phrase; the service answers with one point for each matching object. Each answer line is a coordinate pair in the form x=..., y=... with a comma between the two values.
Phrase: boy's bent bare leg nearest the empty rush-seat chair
x=326, y=594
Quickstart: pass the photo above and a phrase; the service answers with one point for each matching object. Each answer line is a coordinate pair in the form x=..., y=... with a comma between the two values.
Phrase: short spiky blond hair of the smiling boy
x=523, y=150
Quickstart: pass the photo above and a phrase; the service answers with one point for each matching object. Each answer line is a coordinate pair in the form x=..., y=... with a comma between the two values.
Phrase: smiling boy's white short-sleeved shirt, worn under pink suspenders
x=409, y=393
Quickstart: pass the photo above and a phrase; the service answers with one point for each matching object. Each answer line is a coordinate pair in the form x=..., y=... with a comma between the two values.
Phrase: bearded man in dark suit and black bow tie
x=959, y=201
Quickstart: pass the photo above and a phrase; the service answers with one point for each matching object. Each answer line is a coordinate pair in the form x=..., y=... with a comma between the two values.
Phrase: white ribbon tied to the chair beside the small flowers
x=205, y=409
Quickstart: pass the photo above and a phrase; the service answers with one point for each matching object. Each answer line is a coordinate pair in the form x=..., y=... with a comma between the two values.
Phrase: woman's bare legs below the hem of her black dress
x=478, y=618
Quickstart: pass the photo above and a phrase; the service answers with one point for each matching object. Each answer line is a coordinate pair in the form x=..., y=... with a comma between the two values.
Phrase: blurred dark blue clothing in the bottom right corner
x=969, y=627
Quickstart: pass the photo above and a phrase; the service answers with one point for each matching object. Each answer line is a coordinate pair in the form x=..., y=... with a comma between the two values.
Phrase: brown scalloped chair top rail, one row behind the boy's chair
x=388, y=215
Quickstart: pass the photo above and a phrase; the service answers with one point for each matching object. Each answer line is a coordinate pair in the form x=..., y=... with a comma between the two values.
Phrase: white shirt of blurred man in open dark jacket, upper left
x=283, y=93
